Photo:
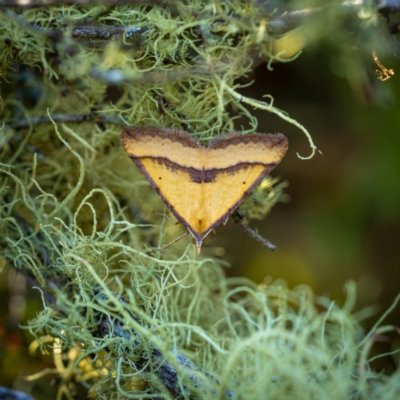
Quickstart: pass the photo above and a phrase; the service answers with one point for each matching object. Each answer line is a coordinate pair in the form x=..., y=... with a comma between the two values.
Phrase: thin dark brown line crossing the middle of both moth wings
x=201, y=176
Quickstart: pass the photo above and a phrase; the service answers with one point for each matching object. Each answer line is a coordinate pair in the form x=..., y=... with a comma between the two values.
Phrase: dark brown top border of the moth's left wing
x=173, y=135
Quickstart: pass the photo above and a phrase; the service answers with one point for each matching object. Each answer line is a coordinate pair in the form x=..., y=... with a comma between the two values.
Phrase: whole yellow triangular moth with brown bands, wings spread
x=202, y=186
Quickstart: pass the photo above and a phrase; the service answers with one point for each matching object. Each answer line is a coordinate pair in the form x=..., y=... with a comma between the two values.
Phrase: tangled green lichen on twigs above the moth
x=172, y=68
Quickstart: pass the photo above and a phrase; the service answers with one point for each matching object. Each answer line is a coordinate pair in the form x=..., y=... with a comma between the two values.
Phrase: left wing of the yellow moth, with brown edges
x=172, y=161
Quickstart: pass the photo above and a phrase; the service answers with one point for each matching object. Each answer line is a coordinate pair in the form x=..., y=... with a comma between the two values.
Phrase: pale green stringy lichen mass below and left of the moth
x=117, y=319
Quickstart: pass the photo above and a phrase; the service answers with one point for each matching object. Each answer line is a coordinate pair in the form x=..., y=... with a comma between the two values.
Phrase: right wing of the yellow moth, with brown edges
x=235, y=165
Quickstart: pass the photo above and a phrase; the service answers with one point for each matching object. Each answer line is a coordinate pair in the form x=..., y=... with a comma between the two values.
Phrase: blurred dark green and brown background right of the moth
x=343, y=218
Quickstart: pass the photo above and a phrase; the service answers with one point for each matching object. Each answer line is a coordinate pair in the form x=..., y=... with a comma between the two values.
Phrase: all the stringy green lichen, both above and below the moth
x=77, y=216
